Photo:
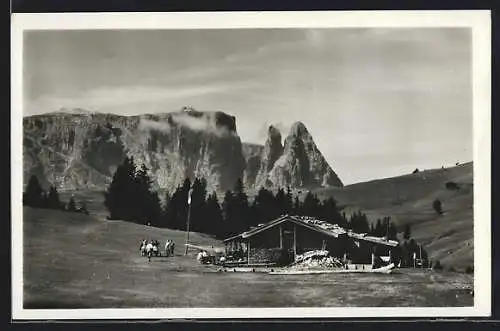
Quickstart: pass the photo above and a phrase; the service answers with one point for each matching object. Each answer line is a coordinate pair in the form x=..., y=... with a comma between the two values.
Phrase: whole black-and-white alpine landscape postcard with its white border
x=257, y=167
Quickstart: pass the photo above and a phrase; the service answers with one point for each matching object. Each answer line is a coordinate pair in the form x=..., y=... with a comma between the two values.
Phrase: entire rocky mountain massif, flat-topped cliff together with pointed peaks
x=81, y=150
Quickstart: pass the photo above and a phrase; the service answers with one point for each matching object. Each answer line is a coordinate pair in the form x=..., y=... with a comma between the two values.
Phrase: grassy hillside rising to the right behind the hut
x=408, y=200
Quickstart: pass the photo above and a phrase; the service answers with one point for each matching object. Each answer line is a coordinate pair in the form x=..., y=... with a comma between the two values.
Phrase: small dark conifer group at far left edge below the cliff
x=35, y=196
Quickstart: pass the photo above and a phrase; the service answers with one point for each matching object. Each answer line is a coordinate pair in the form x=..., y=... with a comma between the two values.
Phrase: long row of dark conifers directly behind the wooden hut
x=130, y=197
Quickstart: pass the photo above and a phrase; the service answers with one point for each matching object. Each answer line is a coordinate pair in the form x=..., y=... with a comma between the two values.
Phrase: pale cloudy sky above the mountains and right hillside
x=379, y=102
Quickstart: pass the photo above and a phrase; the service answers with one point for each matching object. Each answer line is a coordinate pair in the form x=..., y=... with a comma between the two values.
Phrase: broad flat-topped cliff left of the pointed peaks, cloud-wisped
x=82, y=150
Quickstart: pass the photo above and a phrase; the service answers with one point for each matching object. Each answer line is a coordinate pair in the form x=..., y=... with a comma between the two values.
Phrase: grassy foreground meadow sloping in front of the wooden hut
x=78, y=261
